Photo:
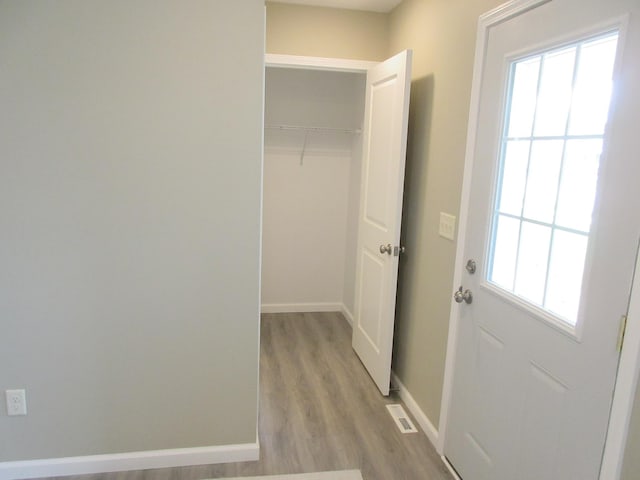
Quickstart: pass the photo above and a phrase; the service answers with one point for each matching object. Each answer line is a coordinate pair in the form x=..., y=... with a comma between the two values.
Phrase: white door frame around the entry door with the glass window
x=629, y=366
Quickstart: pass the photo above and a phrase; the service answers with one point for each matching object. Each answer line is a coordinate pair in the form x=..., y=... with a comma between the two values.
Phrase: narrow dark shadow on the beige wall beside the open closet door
x=413, y=215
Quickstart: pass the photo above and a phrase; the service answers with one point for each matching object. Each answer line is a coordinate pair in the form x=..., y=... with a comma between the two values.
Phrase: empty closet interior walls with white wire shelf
x=311, y=188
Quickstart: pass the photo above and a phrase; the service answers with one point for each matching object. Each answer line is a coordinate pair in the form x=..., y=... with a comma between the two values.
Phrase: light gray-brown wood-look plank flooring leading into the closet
x=319, y=410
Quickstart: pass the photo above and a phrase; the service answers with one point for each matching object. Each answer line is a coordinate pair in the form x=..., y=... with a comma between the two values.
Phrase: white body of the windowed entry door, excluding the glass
x=530, y=400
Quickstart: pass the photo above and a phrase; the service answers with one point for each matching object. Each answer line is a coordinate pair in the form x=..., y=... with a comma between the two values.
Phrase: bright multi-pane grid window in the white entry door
x=552, y=139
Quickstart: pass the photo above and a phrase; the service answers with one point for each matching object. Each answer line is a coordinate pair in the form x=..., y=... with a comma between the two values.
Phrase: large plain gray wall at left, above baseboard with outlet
x=130, y=190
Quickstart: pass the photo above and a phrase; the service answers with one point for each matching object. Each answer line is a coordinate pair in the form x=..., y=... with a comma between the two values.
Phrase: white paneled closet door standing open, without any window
x=383, y=158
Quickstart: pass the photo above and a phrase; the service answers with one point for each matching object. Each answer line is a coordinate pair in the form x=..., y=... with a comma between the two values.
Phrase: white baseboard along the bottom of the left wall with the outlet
x=118, y=462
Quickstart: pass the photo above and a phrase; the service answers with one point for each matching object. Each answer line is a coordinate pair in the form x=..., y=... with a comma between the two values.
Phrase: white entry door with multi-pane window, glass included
x=552, y=224
